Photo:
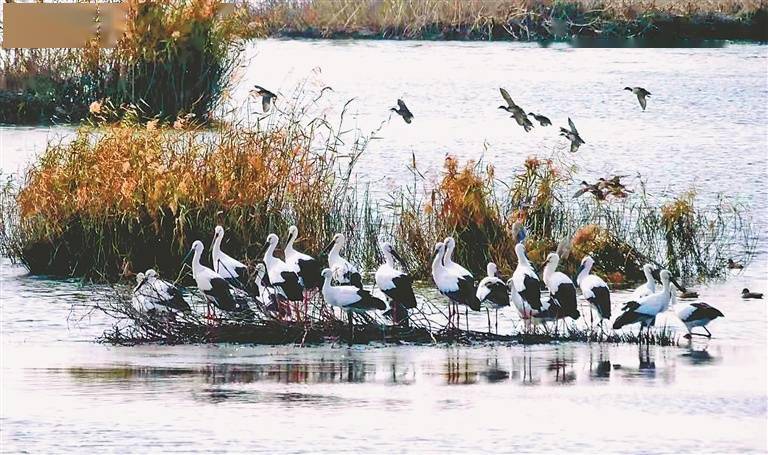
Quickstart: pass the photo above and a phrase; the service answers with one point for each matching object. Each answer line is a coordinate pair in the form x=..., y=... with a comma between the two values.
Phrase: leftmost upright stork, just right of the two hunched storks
x=214, y=287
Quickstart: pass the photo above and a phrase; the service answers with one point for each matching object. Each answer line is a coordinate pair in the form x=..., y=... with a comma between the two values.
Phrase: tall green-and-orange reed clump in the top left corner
x=174, y=59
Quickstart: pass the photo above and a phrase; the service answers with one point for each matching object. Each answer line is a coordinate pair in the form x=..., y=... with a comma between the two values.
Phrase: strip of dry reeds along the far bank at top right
x=511, y=19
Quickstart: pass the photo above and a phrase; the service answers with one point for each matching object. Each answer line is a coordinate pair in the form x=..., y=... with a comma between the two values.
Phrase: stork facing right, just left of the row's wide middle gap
x=396, y=285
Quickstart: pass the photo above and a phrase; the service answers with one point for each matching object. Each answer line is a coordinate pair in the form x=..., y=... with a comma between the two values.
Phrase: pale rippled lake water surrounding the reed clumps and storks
x=705, y=127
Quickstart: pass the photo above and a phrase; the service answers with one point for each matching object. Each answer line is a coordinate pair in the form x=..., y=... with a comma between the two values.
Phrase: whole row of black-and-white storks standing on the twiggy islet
x=281, y=285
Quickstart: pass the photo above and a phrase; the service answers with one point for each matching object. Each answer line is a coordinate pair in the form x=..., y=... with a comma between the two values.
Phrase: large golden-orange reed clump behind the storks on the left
x=125, y=198
